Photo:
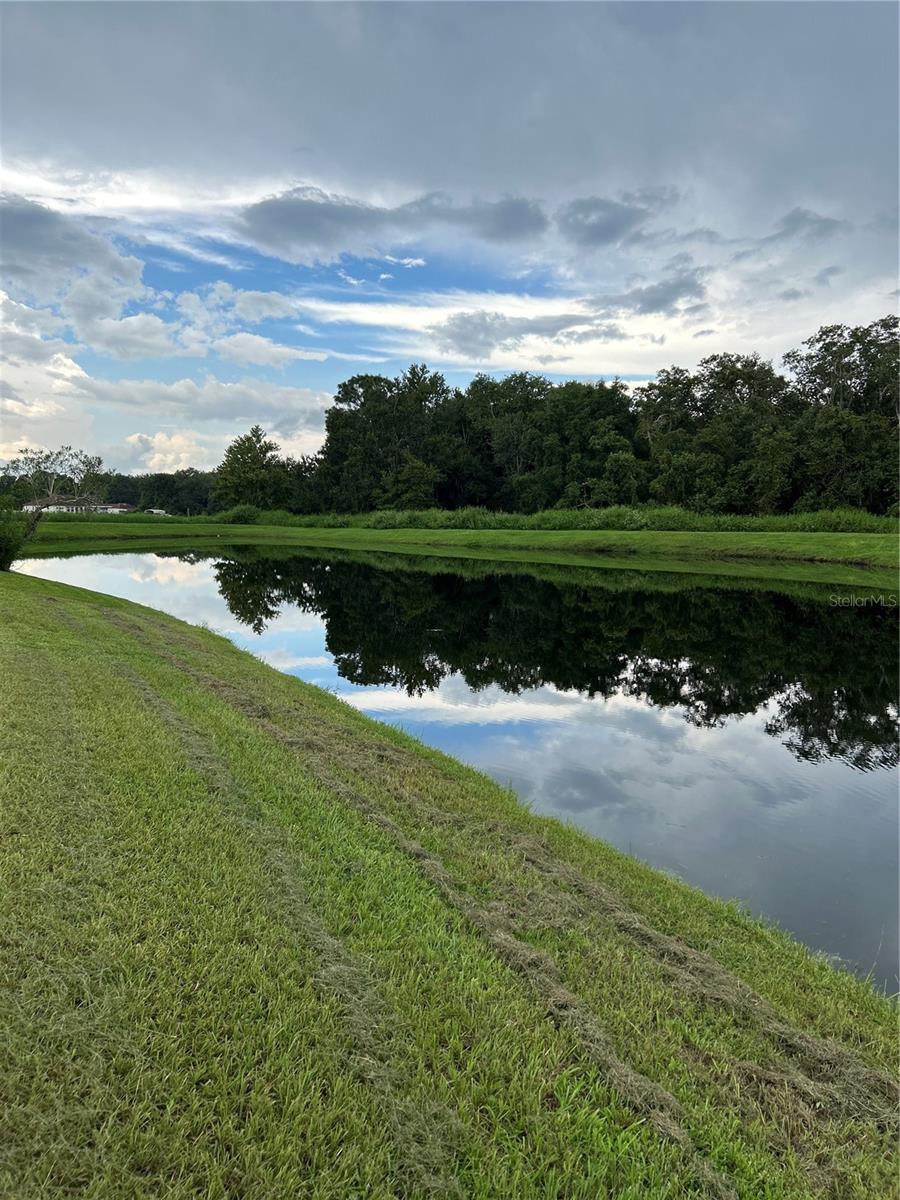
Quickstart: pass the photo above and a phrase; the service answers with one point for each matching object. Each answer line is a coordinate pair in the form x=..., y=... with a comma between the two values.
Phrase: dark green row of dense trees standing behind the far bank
x=734, y=436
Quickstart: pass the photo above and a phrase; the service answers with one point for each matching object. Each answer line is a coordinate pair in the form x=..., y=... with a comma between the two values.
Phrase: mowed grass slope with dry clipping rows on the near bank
x=256, y=945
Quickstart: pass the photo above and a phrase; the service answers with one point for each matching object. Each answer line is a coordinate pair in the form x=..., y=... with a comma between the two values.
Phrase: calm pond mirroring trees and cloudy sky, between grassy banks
x=739, y=736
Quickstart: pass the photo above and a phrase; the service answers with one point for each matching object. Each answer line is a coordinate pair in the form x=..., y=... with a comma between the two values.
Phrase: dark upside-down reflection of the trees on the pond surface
x=824, y=675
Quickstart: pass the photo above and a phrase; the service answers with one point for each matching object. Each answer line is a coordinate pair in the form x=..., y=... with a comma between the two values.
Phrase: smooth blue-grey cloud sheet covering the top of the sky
x=785, y=101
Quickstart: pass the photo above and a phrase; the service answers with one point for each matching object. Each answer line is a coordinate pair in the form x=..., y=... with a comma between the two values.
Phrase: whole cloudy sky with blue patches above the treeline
x=215, y=213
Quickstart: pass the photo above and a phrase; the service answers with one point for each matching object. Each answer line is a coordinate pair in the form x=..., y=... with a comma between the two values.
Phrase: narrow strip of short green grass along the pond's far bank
x=838, y=557
